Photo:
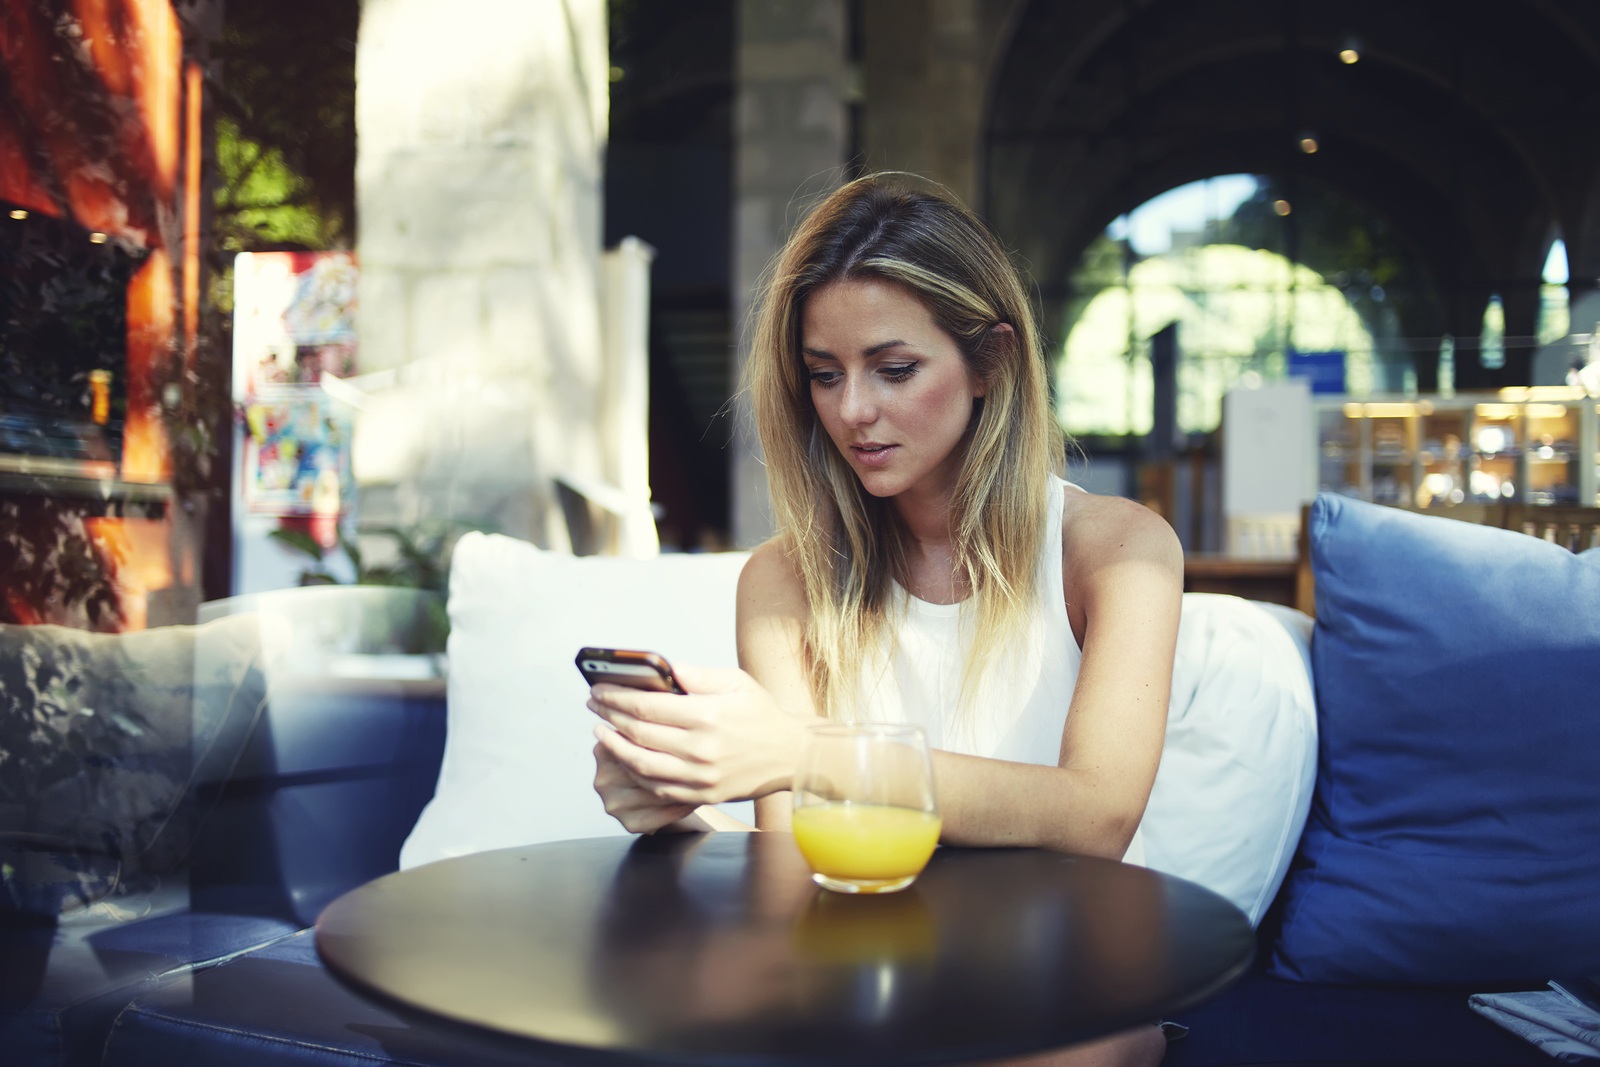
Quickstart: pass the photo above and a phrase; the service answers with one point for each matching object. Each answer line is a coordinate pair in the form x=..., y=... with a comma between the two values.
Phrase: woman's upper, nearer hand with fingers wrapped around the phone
x=726, y=741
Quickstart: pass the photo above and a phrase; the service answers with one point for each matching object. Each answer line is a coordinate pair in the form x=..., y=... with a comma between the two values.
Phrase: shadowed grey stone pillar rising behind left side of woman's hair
x=791, y=135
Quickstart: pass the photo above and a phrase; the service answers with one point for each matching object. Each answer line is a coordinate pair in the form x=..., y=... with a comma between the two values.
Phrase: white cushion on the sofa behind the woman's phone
x=519, y=764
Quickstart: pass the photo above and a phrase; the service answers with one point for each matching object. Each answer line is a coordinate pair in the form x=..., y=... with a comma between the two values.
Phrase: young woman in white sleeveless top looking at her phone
x=930, y=565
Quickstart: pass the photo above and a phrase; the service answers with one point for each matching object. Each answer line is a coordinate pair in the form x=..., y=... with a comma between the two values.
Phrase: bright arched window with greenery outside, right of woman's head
x=1209, y=257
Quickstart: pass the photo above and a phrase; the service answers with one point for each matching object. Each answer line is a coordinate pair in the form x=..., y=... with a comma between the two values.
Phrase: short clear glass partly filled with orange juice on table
x=865, y=817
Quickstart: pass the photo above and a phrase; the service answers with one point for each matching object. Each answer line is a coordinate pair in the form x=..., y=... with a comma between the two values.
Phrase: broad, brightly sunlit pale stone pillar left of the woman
x=481, y=140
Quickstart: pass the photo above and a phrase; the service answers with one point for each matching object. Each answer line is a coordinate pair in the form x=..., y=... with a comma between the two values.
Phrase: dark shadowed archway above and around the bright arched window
x=1449, y=129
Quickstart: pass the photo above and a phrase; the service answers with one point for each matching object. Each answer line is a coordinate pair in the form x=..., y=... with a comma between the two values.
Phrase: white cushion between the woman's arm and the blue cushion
x=1241, y=756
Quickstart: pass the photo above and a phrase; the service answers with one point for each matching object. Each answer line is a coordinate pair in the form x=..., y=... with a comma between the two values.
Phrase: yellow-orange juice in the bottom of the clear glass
x=866, y=844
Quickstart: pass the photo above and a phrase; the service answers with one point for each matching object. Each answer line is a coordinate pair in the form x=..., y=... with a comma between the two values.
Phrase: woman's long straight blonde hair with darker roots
x=849, y=546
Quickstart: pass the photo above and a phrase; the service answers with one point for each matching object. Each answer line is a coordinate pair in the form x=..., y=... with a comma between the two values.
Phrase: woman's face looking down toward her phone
x=889, y=385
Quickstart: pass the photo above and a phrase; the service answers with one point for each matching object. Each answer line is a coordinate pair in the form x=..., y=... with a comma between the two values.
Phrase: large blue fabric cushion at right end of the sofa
x=1455, y=831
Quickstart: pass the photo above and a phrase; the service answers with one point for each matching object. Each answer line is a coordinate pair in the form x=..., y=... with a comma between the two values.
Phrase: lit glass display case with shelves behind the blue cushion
x=1527, y=446
